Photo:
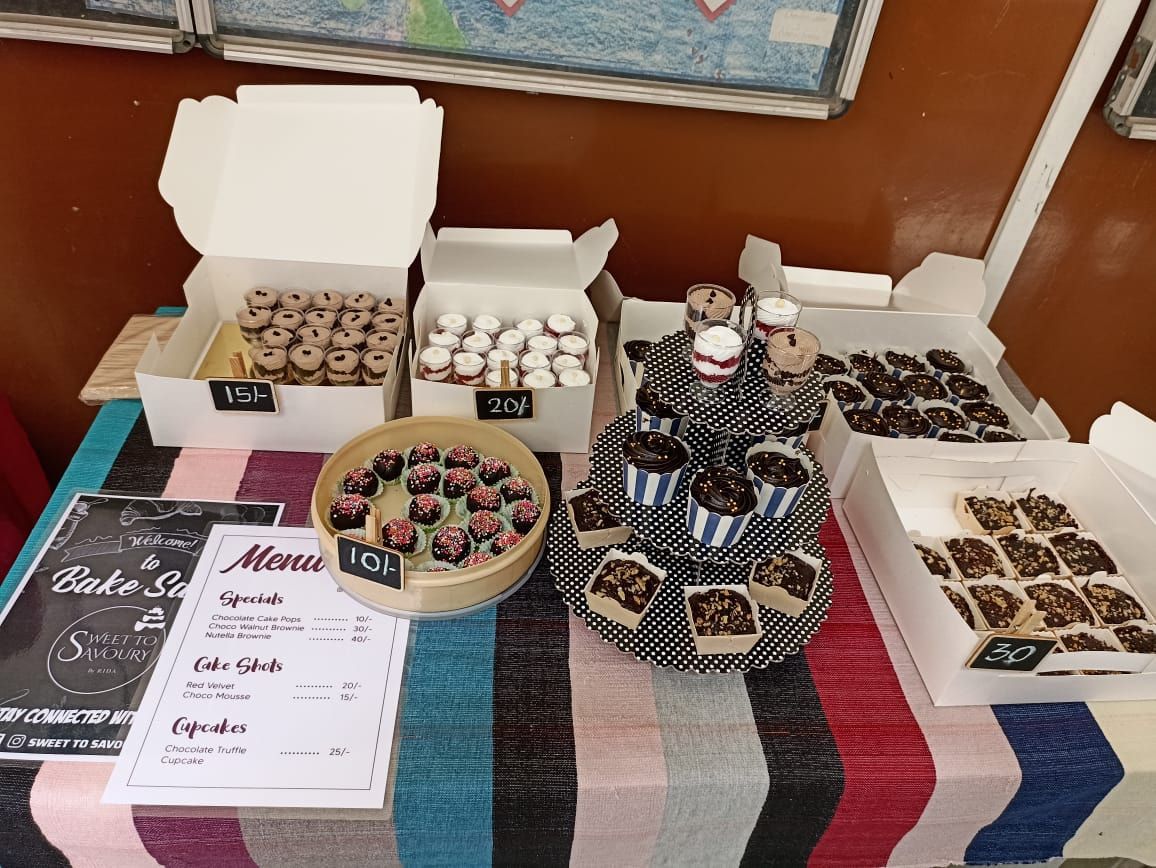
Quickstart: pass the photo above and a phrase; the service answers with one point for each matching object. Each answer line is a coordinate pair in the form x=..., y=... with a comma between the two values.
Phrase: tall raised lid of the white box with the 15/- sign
x=308, y=174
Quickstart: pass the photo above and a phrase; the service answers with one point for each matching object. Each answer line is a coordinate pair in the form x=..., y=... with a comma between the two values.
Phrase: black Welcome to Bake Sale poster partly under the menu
x=80, y=636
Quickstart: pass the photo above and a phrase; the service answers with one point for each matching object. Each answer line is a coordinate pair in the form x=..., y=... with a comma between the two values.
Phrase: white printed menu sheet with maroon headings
x=276, y=689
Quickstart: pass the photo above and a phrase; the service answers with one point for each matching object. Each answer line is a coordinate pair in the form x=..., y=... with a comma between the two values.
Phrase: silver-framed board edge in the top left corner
x=160, y=26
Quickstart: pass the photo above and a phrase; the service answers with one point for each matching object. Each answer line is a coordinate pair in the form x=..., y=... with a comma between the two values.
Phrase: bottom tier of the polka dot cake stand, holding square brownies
x=664, y=636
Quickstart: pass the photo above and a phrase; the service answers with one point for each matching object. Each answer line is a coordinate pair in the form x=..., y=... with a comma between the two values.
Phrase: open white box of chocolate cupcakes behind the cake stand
x=935, y=306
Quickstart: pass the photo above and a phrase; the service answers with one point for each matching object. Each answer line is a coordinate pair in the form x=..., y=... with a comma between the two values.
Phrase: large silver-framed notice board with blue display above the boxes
x=783, y=57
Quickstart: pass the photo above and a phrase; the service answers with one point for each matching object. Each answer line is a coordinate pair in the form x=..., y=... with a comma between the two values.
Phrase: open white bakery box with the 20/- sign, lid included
x=514, y=275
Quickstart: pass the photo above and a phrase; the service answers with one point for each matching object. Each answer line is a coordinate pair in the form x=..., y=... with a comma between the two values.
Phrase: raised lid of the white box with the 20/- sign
x=544, y=258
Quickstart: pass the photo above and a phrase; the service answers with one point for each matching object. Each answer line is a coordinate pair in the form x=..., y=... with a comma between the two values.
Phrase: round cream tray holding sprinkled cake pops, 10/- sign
x=432, y=592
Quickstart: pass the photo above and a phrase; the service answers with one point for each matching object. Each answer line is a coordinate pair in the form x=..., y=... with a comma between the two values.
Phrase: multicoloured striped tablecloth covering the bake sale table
x=527, y=740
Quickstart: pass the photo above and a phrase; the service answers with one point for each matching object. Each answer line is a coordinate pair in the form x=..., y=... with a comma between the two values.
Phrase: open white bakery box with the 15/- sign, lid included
x=293, y=188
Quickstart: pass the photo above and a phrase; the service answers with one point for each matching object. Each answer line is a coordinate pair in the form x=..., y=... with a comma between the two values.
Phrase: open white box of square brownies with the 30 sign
x=1109, y=486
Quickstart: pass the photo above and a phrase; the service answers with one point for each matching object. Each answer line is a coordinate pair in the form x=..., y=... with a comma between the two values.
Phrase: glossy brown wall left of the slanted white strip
x=950, y=106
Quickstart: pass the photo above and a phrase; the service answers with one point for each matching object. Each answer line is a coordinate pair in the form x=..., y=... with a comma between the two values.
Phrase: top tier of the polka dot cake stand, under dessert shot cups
x=743, y=405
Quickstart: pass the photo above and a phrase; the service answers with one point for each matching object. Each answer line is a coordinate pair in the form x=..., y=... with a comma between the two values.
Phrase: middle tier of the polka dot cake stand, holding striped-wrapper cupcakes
x=665, y=528
